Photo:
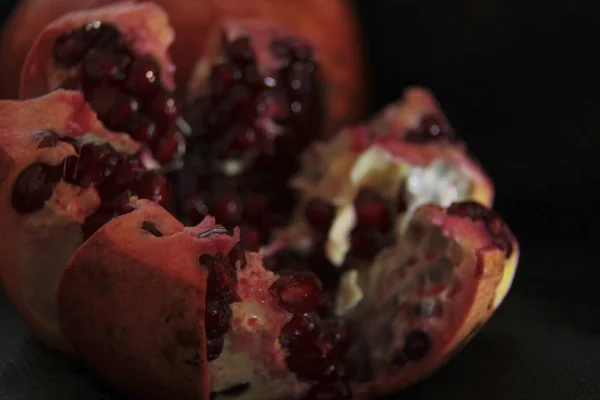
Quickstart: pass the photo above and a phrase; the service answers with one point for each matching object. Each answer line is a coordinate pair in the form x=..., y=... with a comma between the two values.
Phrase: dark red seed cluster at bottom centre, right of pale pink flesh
x=317, y=346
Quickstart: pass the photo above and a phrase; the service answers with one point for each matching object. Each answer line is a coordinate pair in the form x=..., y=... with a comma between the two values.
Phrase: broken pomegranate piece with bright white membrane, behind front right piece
x=358, y=189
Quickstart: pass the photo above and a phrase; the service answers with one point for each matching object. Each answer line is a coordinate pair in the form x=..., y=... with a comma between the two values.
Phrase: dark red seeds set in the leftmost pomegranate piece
x=116, y=177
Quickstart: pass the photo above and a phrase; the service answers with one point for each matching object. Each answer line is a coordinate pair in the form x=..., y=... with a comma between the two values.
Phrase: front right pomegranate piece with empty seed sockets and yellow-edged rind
x=423, y=298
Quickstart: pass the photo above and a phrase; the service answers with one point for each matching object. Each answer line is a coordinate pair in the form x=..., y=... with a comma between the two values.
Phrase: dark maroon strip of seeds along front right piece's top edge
x=495, y=226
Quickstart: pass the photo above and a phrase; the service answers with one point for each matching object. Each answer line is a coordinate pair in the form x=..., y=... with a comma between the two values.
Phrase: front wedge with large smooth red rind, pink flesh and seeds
x=163, y=311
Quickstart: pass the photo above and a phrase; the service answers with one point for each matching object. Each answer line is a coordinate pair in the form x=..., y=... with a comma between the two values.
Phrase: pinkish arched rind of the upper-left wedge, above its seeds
x=145, y=28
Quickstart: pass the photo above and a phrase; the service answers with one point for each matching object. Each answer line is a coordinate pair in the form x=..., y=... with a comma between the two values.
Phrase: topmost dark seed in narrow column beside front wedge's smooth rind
x=222, y=278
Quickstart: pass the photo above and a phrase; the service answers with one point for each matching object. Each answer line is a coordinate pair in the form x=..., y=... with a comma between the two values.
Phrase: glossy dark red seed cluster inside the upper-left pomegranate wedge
x=124, y=89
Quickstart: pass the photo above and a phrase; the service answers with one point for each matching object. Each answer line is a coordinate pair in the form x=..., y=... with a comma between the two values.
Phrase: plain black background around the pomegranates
x=520, y=83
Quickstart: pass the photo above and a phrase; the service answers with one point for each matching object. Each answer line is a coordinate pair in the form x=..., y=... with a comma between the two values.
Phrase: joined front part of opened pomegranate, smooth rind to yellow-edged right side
x=162, y=310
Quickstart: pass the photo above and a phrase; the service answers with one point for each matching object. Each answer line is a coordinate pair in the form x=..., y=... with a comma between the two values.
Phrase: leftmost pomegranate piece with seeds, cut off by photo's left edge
x=63, y=175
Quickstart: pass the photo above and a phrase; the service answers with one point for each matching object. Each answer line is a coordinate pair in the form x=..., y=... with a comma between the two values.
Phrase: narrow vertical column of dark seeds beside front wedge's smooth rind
x=220, y=293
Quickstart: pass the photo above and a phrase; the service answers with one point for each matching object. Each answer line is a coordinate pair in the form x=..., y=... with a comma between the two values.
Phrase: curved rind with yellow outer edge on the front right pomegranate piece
x=486, y=275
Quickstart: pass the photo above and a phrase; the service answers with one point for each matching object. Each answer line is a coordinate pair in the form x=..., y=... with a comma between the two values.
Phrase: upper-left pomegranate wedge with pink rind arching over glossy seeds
x=117, y=56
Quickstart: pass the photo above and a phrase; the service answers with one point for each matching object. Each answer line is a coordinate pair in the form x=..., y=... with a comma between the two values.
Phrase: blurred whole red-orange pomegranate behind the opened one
x=192, y=20
